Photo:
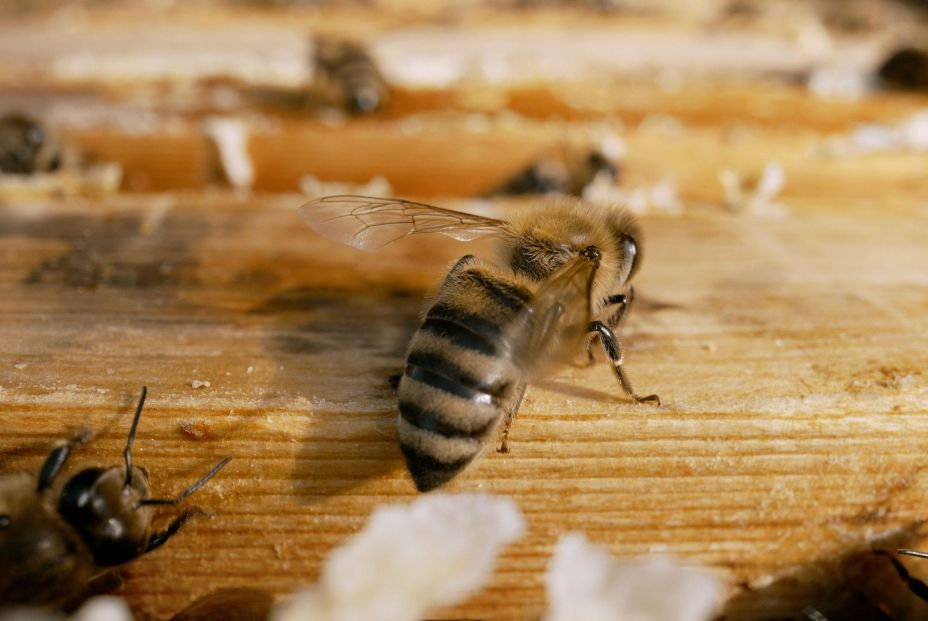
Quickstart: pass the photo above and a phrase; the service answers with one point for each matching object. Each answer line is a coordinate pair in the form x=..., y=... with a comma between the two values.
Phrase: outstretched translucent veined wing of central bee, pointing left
x=369, y=223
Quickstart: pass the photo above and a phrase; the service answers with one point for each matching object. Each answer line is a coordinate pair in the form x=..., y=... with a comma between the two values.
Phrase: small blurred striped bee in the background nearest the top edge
x=347, y=74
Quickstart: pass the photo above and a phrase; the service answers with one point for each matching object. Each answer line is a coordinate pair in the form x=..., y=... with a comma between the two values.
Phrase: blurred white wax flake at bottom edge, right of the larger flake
x=584, y=583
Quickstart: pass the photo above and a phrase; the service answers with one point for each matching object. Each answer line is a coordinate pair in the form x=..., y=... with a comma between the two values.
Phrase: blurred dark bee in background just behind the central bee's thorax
x=568, y=172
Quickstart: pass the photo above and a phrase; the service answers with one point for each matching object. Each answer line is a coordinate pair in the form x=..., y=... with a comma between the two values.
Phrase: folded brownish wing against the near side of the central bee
x=552, y=326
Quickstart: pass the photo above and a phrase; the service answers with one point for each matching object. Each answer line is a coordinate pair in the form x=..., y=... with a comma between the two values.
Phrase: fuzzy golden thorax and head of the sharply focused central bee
x=552, y=234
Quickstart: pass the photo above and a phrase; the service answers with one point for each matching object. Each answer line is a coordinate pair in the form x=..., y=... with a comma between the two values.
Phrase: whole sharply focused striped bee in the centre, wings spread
x=561, y=281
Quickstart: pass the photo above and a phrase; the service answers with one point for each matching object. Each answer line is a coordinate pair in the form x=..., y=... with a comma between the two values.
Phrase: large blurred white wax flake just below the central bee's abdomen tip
x=409, y=560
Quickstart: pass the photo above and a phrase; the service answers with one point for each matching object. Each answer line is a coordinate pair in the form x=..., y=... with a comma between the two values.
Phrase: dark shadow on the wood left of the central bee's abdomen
x=338, y=348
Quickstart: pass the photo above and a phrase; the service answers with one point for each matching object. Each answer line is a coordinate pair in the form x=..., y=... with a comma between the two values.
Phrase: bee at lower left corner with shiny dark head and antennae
x=54, y=539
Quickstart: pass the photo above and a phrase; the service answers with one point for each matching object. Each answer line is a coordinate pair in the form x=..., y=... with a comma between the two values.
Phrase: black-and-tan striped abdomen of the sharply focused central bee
x=459, y=379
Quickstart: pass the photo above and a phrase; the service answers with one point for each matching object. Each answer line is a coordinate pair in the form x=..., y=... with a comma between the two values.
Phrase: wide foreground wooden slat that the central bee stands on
x=789, y=355
